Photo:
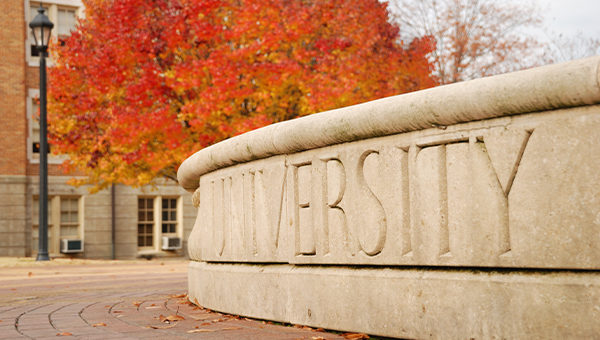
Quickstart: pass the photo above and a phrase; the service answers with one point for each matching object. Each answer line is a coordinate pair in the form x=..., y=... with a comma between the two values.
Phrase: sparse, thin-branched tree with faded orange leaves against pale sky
x=474, y=38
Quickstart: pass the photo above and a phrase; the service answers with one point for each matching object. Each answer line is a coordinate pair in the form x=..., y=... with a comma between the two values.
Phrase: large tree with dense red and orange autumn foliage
x=142, y=84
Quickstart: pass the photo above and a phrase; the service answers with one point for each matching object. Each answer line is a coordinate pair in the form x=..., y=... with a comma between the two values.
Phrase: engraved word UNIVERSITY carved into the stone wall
x=437, y=202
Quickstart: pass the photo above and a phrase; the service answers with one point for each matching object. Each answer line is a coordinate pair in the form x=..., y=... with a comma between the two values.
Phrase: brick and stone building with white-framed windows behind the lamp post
x=141, y=217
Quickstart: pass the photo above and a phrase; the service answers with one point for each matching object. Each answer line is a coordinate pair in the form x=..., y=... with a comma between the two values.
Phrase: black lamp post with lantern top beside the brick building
x=41, y=27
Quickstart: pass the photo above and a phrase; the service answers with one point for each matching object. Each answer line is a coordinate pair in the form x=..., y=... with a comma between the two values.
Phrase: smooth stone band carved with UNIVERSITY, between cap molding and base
x=451, y=198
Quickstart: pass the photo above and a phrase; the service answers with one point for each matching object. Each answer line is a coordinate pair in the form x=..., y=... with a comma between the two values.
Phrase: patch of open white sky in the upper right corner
x=570, y=16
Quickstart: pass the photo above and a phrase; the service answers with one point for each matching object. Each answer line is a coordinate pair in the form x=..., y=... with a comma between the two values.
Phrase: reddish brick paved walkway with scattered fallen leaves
x=118, y=300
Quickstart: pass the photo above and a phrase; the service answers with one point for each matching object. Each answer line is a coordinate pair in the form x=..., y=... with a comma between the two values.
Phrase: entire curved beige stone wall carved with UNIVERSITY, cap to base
x=469, y=210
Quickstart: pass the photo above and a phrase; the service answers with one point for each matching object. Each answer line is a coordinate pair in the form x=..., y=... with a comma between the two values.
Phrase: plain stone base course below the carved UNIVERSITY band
x=407, y=303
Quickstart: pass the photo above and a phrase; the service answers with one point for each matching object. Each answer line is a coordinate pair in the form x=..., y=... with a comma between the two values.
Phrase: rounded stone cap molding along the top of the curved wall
x=557, y=86
